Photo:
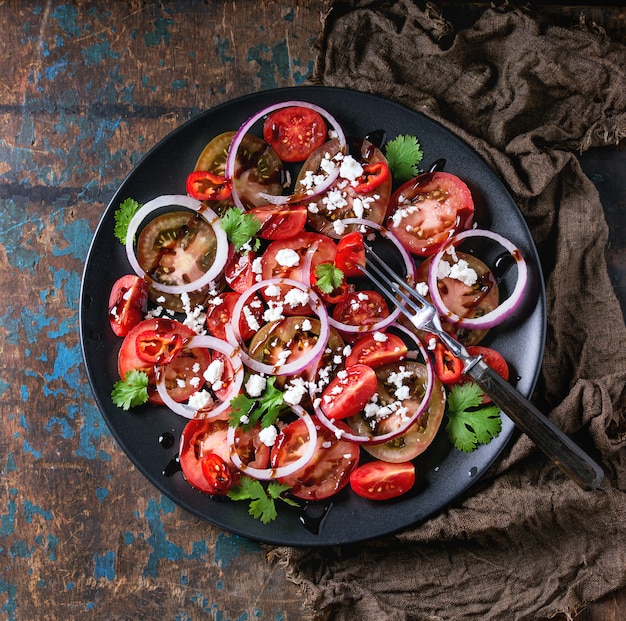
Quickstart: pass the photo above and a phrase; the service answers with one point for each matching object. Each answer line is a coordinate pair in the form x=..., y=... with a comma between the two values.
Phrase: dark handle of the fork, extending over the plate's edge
x=548, y=437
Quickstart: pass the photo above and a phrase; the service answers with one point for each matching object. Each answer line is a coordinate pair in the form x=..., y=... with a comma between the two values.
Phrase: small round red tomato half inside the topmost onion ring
x=294, y=132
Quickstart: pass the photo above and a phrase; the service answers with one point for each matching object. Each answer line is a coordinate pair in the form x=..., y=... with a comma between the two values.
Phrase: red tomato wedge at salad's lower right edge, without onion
x=382, y=480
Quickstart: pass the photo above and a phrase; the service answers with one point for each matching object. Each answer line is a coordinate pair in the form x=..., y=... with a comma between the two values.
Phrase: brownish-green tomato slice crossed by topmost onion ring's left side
x=258, y=169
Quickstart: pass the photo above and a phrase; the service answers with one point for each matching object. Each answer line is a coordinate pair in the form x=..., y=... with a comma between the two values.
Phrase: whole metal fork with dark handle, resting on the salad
x=557, y=445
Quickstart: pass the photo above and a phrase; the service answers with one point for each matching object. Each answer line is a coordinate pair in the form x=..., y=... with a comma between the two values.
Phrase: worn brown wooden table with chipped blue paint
x=86, y=89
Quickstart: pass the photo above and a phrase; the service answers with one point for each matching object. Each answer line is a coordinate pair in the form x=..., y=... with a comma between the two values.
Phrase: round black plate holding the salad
x=349, y=519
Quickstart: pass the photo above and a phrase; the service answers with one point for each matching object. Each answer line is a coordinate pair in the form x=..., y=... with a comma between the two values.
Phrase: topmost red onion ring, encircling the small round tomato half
x=239, y=136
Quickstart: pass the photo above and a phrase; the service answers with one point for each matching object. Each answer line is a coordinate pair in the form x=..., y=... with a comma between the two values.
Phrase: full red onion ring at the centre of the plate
x=234, y=336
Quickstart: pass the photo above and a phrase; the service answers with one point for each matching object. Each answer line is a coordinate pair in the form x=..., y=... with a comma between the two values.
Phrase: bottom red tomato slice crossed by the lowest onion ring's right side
x=329, y=469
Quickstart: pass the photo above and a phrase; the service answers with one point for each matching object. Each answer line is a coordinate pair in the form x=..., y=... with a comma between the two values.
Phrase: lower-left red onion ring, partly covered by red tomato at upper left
x=214, y=344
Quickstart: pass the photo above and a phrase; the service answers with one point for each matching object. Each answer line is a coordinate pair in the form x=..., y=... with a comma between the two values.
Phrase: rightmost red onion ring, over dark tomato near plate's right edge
x=498, y=314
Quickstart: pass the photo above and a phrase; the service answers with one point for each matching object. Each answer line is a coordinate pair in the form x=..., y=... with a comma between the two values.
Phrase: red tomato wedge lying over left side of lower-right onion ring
x=349, y=391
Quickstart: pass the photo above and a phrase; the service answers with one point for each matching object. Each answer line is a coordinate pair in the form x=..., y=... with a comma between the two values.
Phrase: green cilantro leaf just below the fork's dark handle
x=469, y=424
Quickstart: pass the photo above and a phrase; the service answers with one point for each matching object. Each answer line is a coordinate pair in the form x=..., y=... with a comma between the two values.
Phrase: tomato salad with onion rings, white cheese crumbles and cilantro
x=247, y=312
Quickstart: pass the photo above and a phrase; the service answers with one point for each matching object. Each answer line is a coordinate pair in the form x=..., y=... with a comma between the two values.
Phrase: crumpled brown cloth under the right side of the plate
x=525, y=542
